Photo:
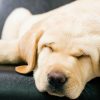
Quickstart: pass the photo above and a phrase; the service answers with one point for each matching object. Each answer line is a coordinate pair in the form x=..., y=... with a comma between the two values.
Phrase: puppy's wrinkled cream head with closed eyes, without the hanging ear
x=64, y=65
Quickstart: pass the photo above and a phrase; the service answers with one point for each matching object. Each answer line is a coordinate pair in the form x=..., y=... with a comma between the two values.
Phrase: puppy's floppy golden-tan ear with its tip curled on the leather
x=28, y=52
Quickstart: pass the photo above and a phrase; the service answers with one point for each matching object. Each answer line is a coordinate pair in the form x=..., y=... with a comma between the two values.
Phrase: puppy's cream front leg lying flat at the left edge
x=9, y=52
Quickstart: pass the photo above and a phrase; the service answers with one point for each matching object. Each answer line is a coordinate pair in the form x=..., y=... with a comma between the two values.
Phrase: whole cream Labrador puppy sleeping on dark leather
x=62, y=46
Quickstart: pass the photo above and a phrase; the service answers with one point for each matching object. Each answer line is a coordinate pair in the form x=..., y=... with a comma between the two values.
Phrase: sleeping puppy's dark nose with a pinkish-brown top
x=56, y=79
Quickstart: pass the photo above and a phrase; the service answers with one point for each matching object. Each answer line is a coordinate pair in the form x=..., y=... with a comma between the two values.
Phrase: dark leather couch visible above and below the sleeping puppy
x=14, y=86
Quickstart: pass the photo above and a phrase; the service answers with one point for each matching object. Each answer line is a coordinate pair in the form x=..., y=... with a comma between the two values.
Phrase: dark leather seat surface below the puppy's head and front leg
x=14, y=86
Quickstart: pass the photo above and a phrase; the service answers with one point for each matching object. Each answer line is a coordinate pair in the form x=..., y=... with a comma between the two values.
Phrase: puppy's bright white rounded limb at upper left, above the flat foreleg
x=14, y=22
